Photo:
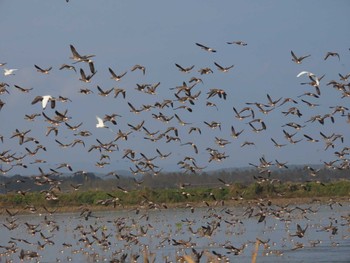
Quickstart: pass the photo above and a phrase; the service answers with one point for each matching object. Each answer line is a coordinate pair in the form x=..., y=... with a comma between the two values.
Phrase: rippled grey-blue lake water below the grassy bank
x=167, y=235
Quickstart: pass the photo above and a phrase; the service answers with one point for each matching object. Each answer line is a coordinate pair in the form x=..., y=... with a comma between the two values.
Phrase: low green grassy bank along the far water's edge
x=194, y=195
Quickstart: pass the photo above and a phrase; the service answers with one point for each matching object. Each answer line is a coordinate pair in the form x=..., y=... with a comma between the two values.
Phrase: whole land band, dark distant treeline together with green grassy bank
x=170, y=189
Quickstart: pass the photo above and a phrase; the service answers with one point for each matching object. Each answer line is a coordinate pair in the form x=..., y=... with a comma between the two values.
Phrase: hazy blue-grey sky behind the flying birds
x=158, y=34
